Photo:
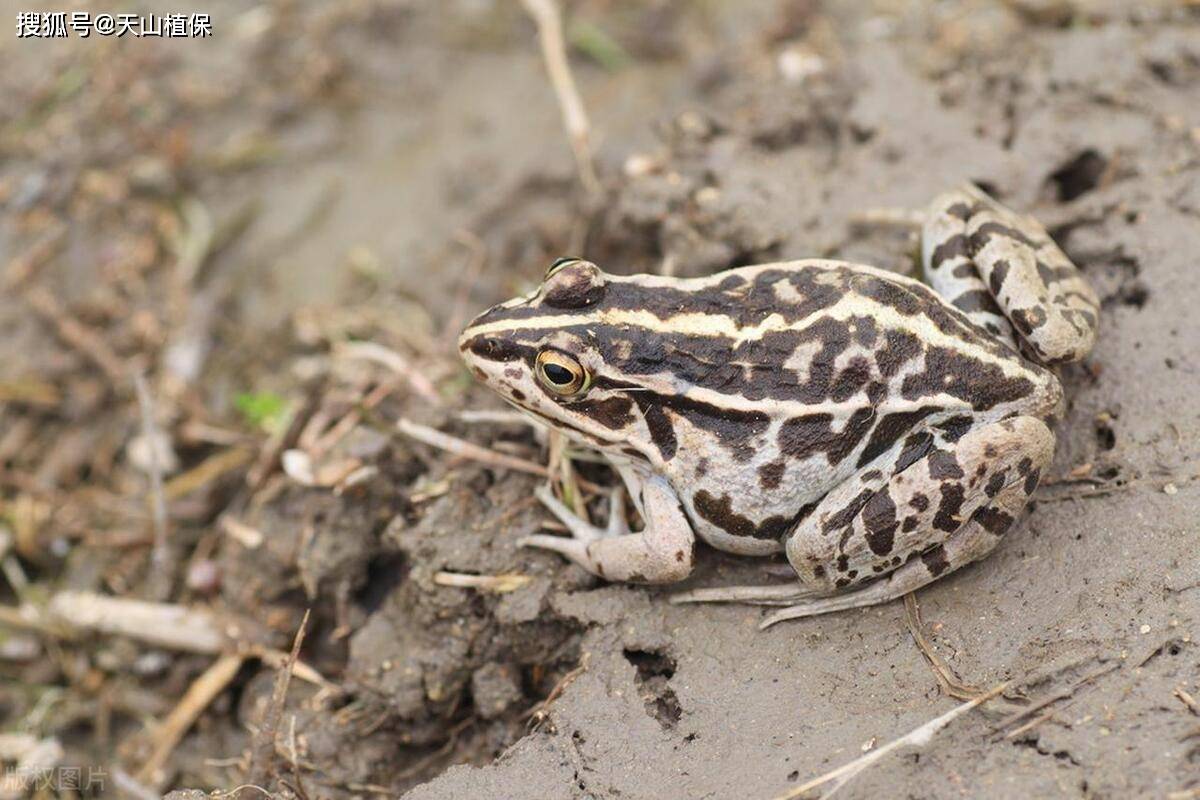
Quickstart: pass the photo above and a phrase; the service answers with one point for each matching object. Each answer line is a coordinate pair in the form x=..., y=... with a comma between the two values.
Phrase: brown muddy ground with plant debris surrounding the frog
x=232, y=218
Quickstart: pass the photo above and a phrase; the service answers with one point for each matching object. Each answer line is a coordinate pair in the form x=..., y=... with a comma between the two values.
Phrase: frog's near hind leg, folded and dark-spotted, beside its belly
x=943, y=513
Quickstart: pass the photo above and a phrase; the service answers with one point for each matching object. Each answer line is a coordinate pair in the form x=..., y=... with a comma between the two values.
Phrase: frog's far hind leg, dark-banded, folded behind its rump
x=1005, y=273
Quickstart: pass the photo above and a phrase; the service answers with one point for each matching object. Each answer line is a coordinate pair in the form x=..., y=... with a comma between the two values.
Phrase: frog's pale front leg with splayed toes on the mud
x=661, y=554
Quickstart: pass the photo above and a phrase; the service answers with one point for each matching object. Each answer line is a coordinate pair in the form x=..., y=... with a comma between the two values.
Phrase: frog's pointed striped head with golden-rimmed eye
x=561, y=354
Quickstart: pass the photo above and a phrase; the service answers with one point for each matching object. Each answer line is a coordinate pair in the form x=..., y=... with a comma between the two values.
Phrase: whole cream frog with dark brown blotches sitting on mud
x=878, y=431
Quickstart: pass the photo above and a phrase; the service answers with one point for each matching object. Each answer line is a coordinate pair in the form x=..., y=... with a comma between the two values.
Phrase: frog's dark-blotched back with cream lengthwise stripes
x=823, y=336
